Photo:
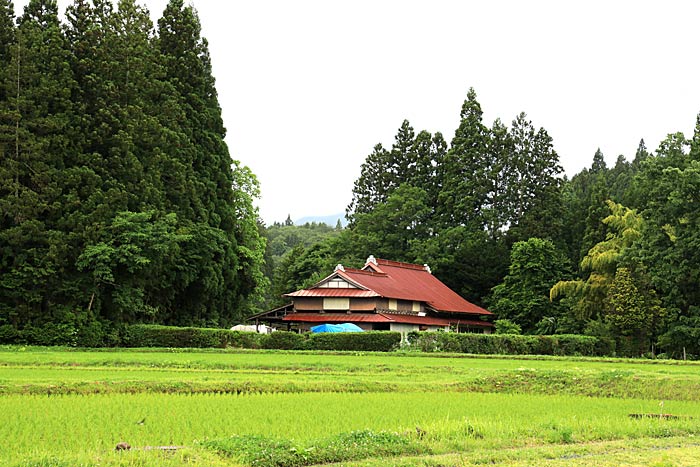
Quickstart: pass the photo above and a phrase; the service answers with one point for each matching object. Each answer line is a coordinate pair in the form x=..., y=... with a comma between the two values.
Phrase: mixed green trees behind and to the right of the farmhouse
x=612, y=252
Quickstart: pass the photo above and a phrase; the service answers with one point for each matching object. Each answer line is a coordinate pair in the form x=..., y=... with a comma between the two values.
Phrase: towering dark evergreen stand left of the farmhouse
x=119, y=201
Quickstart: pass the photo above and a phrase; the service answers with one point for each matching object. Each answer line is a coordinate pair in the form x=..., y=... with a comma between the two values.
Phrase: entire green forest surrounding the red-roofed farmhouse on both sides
x=120, y=202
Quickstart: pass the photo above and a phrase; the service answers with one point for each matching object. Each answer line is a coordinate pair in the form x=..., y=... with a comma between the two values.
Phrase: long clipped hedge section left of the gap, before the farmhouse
x=144, y=335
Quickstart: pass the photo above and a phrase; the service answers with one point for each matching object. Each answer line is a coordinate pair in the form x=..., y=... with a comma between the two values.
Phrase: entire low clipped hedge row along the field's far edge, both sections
x=146, y=335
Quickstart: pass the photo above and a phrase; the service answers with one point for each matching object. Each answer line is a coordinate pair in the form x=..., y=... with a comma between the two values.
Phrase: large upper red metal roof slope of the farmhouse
x=410, y=282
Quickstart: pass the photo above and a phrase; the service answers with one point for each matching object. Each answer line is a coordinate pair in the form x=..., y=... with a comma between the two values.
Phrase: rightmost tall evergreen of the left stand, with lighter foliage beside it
x=222, y=268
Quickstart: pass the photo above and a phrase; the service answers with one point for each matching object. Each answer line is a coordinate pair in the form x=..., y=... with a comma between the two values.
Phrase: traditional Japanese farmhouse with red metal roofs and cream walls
x=382, y=296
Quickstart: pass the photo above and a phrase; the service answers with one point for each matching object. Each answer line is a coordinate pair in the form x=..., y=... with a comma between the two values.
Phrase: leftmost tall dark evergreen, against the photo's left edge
x=36, y=117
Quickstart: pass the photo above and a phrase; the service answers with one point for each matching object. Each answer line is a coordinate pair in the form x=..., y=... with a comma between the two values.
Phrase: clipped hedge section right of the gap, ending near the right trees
x=511, y=344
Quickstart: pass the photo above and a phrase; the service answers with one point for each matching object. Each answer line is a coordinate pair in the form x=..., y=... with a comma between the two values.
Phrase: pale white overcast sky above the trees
x=309, y=87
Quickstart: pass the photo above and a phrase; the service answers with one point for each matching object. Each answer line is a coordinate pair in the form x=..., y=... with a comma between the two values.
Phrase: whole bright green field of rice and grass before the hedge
x=65, y=407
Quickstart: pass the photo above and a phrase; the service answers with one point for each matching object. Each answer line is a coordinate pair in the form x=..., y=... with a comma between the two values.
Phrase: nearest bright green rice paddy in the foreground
x=74, y=424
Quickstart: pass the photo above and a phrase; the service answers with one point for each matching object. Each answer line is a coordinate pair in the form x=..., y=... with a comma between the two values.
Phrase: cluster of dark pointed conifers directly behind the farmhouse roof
x=457, y=207
